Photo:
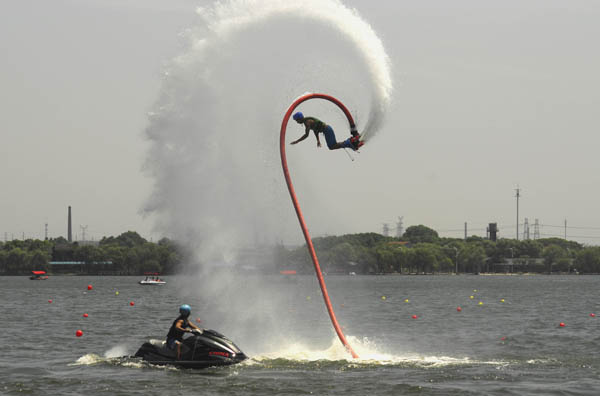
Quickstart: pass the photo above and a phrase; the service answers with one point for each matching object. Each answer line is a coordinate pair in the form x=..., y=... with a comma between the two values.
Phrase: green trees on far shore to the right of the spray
x=421, y=250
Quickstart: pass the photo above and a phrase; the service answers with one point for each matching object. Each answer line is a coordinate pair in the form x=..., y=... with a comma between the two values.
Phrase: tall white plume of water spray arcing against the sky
x=214, y=129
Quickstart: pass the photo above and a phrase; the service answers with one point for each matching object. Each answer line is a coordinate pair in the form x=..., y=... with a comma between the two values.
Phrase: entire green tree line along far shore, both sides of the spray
x=419, y=251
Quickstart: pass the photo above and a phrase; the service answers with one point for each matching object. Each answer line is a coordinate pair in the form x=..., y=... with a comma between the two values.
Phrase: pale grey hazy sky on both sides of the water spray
x=488, y=97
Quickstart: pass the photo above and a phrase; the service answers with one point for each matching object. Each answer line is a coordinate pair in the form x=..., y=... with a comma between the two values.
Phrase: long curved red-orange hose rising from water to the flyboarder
x=288, y=180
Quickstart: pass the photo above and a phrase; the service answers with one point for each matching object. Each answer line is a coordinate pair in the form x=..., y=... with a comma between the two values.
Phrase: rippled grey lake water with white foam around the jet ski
x=510, y=344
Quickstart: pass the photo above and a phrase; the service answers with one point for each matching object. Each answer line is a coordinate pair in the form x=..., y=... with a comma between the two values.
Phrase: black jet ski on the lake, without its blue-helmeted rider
x=199, y=350
